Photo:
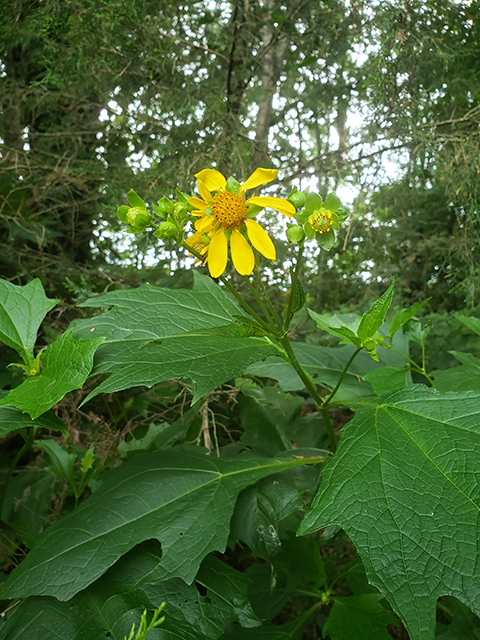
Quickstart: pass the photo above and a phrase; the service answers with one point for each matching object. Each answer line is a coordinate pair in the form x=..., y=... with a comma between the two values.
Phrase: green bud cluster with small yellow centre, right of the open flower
x=316, y=219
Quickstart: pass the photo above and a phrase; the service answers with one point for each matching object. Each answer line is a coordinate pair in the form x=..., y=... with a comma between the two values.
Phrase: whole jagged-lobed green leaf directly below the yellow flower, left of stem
x=153, y=334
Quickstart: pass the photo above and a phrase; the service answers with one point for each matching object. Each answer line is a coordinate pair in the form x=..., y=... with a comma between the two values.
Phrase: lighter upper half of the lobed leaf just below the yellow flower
x=150, y=313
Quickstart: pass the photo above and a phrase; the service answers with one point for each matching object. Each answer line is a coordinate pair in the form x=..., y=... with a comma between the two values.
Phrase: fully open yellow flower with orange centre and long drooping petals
x=223, y=215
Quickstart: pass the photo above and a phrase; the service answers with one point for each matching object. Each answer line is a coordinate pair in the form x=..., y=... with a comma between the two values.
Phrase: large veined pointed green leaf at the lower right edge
x=405, y=486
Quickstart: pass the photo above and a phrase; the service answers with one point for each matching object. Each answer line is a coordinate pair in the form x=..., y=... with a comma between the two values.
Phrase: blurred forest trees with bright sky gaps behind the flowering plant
x=375, y=101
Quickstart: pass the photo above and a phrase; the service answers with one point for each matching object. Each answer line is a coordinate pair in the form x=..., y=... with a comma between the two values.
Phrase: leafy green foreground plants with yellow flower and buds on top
x=251, y=485
